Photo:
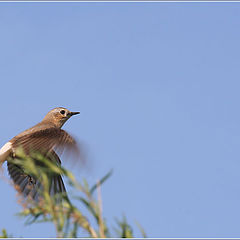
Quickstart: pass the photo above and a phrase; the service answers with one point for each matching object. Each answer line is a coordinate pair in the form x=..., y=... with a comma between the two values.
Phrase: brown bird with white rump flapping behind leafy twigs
x=46, y=138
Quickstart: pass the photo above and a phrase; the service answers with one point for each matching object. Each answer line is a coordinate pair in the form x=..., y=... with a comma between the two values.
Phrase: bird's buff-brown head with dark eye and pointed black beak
x=59, y=116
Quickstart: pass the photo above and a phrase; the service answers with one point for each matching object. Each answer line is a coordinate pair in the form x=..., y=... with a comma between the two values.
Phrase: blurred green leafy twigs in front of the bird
x=59, y=210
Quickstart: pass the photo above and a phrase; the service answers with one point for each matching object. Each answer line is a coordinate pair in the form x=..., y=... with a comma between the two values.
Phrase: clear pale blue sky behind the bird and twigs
x=158, y=87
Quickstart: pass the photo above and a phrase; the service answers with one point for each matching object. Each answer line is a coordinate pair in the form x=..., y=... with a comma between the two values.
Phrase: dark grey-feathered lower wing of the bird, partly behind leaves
x=29, y=186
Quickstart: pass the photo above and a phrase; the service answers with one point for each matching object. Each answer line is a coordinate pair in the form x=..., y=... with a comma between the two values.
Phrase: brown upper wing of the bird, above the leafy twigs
x=44, y=141
